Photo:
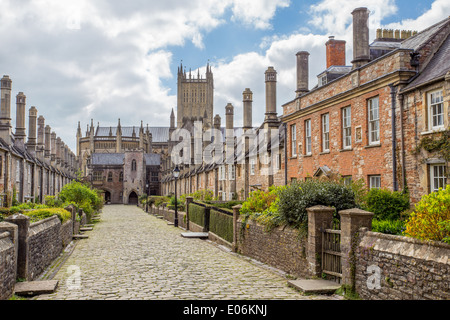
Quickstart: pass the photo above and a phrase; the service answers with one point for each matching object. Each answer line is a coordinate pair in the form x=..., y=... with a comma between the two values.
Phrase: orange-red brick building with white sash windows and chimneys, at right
x=363, y=121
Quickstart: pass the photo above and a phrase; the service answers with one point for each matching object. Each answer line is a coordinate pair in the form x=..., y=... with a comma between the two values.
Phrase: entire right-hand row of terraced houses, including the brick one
x=363, y=121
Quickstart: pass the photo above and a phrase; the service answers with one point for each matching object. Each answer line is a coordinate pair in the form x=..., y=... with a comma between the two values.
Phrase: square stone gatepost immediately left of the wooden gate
x=319, y=217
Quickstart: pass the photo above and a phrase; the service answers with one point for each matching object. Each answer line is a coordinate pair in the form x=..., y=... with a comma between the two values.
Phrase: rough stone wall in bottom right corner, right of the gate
x=395, y=267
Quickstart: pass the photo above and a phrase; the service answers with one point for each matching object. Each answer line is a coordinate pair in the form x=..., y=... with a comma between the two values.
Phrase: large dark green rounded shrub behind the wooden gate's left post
x=297, y=197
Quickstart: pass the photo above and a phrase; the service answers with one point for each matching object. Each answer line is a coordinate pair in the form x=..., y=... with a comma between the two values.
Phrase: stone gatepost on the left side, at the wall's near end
x=23, y=225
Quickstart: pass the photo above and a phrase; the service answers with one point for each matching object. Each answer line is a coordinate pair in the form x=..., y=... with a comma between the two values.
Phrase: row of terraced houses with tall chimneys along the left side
x=33, y=168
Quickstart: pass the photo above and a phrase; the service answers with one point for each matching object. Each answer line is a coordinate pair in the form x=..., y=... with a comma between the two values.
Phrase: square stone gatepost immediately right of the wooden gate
x=351, y=221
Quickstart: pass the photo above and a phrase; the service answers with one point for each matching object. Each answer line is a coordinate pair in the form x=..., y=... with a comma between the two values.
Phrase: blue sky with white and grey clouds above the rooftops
x=110, y=59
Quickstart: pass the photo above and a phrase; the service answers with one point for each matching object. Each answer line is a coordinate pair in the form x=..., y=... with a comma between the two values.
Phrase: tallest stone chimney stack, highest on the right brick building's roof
x=361, y=52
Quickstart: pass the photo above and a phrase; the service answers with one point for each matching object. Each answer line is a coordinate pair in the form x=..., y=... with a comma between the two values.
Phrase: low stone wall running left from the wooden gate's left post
x=281, y=248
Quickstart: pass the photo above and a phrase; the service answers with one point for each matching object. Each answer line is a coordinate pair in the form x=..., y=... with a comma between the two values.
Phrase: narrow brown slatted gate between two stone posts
x=331, y=253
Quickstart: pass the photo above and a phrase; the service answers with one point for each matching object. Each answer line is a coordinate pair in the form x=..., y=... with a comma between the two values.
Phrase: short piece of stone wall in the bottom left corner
x=8, y=265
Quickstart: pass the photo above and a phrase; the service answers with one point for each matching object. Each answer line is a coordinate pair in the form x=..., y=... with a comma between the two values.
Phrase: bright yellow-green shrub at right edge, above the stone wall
x=430, y=220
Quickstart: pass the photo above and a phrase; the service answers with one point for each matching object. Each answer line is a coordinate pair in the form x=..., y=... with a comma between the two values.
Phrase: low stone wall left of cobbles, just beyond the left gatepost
x=45, y=244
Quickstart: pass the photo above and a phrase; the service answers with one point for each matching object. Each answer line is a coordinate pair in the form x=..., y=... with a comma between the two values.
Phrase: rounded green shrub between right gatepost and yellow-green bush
x=386, y=204
